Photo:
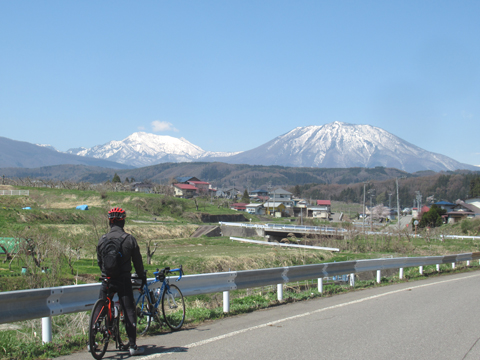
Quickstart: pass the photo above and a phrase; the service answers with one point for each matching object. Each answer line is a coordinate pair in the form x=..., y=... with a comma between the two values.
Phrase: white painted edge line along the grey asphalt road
x=233, y=333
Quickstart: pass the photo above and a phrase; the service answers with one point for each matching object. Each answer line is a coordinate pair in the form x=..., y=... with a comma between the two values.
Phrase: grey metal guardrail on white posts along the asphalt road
x=45, y=303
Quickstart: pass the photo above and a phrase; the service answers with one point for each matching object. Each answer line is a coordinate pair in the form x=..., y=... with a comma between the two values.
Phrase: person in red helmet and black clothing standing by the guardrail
x=120, y=282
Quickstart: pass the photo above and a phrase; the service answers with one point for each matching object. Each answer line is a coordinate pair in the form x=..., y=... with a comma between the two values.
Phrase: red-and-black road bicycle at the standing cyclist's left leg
x=105, y=325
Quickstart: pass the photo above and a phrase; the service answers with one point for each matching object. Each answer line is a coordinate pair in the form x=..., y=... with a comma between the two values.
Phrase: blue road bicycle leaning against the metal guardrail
x=169, y=295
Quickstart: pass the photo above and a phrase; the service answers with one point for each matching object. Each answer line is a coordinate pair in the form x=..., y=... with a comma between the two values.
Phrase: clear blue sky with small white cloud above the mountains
x=232, y=75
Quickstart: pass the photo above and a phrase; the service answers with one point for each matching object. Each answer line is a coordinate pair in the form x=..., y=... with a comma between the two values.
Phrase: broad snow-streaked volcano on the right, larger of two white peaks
x=342, y=145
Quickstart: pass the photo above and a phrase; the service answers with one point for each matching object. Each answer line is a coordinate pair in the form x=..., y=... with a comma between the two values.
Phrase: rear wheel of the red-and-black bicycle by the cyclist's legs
x=98, y=333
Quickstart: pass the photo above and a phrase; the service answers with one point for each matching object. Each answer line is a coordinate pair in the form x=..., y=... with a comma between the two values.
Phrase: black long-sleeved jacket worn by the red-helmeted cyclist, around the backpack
x=130, y=251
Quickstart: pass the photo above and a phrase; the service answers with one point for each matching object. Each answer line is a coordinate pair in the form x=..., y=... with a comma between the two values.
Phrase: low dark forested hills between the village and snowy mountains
x=310, y=183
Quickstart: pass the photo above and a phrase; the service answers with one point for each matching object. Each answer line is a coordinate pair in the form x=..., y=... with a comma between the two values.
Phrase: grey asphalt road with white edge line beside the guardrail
x=437, y=318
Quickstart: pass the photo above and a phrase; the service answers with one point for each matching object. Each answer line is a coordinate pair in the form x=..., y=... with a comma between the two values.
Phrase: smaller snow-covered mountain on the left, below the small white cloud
x=144, y=149
